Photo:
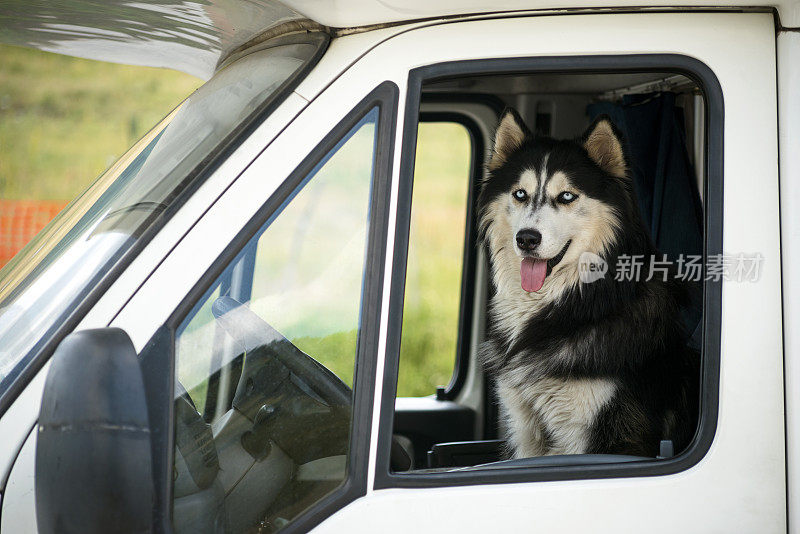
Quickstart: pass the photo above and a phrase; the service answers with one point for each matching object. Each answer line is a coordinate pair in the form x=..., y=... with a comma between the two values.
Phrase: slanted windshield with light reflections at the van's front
x=45, y=283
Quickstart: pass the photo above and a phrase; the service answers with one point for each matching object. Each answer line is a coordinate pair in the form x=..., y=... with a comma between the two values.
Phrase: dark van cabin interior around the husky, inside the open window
x=458, y=427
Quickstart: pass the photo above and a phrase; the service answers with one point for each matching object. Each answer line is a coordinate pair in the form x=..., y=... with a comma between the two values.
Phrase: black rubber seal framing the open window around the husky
x=712, y=290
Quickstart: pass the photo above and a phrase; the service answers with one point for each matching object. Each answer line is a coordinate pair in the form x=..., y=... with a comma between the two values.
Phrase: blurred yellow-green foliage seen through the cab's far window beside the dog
x=436, y=250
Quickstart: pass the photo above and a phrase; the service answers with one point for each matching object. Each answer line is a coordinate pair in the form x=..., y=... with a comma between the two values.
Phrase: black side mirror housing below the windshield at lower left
x=93, y=454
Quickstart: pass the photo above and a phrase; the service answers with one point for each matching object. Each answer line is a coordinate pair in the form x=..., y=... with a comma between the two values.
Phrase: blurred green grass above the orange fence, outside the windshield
x=64, y=120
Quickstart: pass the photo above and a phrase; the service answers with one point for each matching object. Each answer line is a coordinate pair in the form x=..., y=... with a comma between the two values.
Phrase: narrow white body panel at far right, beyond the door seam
x=789, y=135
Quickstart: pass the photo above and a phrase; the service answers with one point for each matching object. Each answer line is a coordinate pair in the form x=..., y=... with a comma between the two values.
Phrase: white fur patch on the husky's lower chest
x=552, y=416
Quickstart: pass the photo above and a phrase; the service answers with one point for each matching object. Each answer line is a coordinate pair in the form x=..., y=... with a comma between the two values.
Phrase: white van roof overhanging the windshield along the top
x=195, y=37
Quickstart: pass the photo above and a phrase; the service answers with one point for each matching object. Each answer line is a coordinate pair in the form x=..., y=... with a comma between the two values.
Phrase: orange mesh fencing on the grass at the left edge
x=20, y=220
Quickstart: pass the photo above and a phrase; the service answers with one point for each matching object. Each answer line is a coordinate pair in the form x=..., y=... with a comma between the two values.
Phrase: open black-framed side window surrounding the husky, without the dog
x=669, y=111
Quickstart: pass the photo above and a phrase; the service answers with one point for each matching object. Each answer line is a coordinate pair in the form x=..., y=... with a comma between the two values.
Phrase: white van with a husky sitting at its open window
x=209, y=338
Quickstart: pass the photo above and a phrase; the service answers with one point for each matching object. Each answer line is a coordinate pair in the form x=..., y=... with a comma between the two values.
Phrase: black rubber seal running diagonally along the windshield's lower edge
x=40, y=354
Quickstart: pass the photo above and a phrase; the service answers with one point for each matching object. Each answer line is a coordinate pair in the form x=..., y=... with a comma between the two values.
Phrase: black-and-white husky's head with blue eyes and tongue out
x=546, y=202
